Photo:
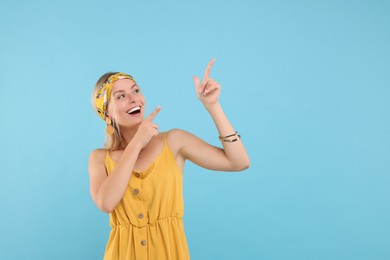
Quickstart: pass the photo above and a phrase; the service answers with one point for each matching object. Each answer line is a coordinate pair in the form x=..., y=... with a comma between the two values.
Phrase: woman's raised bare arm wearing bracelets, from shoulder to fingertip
x=233, y=156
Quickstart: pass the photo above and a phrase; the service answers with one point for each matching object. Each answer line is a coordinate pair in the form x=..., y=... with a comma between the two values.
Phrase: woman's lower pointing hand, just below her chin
x=147, y=129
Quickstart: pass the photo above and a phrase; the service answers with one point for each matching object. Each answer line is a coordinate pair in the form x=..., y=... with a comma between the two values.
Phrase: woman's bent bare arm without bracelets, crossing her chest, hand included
x=107, y=191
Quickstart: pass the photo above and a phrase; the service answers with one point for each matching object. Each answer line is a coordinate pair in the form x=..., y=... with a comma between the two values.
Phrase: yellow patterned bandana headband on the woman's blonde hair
x=104, y=95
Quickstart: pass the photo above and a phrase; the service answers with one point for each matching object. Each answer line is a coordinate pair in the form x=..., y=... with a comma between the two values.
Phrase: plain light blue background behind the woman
x=306, y=83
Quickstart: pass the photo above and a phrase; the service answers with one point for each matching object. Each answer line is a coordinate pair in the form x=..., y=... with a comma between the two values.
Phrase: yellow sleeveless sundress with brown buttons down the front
x=147, y=223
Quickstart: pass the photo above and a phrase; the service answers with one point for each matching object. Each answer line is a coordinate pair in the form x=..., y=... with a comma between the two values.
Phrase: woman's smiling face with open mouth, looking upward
x=126, y=105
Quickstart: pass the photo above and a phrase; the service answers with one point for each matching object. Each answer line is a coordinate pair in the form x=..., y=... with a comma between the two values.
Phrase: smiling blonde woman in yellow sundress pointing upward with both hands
x=137, y=178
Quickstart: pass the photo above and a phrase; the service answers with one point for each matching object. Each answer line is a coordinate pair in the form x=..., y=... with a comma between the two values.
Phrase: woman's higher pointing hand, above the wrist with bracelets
x=208, y=90
